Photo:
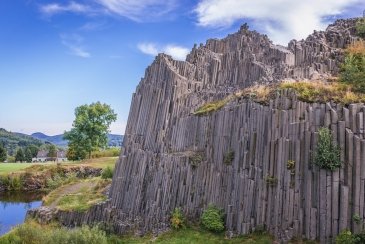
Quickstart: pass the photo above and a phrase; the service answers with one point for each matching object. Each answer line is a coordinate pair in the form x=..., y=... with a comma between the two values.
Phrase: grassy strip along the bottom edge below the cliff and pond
x=48, y=234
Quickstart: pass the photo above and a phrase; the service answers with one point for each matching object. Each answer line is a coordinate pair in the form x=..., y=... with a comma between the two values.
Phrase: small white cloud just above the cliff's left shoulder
x=177, y=52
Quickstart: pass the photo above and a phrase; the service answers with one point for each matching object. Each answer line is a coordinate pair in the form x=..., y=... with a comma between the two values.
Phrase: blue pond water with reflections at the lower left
x=14, y=206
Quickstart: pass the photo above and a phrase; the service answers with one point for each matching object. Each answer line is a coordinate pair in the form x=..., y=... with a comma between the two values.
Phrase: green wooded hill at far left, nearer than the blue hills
x=13, y=140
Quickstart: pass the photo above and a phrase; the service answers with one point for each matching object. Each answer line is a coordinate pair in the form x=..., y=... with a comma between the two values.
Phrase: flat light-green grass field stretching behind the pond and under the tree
x=8, y=168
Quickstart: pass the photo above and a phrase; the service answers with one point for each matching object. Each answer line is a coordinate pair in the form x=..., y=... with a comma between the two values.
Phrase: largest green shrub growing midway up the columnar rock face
x=328, y=154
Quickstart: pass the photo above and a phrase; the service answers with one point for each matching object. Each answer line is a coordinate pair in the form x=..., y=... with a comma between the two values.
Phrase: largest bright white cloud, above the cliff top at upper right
x=282, y=20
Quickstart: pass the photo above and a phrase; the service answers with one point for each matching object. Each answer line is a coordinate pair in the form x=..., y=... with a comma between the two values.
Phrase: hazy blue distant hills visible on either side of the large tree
x=114, y=140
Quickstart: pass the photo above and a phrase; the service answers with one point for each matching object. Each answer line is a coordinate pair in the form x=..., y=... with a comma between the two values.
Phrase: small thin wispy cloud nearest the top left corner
x=56, y=8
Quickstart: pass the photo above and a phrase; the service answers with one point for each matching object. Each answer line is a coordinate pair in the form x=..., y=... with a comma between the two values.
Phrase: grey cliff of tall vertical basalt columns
x=156, y=171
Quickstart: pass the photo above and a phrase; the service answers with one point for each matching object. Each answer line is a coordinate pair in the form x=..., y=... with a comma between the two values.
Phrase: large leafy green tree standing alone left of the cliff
x=90, y=129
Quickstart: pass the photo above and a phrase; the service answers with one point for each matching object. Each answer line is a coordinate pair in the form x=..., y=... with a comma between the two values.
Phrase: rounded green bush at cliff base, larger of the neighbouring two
x=212, y=219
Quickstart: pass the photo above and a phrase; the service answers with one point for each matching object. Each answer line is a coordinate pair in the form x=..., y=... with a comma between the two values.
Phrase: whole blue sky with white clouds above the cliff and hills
x=57, y=55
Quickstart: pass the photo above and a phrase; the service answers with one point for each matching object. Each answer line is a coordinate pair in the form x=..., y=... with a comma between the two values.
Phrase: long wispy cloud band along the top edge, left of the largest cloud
x=141, y=10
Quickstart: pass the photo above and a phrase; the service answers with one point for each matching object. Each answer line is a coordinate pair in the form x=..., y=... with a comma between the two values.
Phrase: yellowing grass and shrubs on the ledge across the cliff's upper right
x=349, y=87
